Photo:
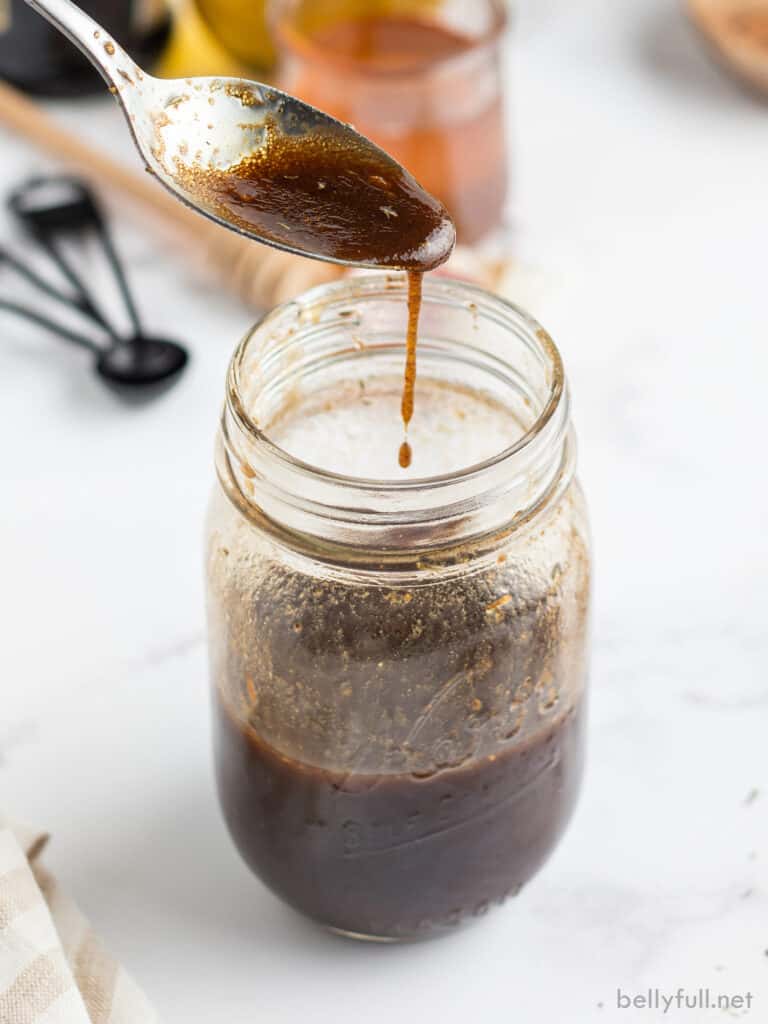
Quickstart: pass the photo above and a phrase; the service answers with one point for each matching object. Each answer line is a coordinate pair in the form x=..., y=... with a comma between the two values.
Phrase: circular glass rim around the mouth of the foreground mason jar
x=306, y=307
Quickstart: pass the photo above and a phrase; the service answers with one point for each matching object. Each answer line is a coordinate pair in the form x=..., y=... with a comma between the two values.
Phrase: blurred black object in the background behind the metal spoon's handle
x=36, y=58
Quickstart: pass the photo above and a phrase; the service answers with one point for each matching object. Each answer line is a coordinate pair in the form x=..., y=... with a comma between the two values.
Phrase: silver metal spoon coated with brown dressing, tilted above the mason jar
x=191, y=131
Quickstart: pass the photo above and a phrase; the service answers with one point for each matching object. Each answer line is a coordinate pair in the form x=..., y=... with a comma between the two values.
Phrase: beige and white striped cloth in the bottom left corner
x=54, y=970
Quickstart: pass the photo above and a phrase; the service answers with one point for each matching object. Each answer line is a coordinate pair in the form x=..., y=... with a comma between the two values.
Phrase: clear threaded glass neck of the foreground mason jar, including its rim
x=471, y=343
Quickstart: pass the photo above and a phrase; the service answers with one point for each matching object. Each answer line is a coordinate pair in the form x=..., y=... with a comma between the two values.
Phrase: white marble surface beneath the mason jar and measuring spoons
x=642, y=201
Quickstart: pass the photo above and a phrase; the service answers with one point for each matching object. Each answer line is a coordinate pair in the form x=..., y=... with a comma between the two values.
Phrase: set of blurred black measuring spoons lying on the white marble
x=51, y=209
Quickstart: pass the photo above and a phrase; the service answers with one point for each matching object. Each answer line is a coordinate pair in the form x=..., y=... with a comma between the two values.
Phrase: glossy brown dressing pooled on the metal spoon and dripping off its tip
x=348, y=202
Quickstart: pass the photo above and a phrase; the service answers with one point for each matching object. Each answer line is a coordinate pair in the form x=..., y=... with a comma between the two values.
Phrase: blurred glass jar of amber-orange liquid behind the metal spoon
x=421, y=79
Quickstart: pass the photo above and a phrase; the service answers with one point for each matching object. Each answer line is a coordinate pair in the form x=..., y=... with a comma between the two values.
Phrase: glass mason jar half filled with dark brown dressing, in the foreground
x=399, y=660
